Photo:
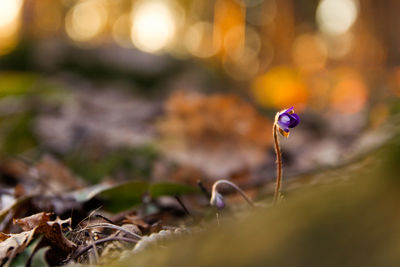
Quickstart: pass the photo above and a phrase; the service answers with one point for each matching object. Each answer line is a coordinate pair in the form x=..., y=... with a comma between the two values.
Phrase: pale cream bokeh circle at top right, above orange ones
x=336, y=16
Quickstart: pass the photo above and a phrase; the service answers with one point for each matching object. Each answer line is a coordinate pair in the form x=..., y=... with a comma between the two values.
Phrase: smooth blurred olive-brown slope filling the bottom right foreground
x=351, y=224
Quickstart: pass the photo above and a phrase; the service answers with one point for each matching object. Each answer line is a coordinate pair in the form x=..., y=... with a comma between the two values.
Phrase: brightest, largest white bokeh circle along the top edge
x=153, y=25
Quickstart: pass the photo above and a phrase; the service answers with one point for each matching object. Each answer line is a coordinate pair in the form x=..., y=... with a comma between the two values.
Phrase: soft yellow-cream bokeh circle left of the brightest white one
x=86, y=20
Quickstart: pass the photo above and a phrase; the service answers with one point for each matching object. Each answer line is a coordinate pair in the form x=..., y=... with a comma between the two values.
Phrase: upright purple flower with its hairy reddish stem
x=284, y=120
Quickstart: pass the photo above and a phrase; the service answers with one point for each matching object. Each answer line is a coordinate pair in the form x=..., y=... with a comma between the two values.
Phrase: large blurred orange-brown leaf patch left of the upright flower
x=217, y=134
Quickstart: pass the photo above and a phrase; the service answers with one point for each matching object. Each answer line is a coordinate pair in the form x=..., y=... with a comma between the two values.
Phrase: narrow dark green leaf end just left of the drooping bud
x=170, y=189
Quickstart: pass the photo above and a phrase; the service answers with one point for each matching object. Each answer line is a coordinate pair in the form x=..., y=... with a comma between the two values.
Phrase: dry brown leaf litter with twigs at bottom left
x=62, y=220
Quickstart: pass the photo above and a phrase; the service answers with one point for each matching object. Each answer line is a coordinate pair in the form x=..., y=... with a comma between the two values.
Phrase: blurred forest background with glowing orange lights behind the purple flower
x=183, y=90
